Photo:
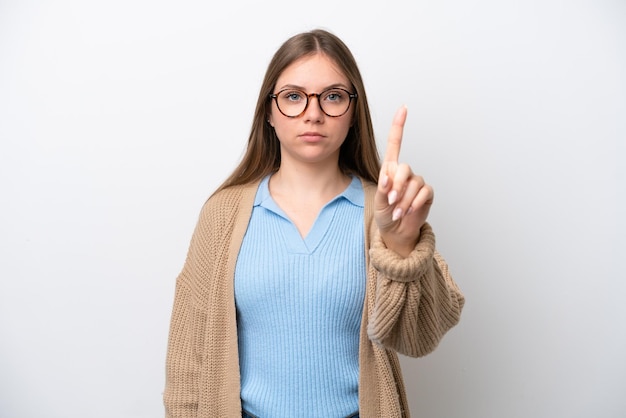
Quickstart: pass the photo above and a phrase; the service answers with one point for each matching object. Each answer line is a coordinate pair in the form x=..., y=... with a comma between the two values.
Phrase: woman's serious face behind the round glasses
x=313, y=137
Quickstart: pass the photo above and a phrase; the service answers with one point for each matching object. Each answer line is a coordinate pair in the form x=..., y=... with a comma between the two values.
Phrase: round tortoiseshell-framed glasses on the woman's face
x=333, y=102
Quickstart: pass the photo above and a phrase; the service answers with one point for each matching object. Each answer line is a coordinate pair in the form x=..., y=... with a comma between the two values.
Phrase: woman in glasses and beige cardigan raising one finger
x=312, y=266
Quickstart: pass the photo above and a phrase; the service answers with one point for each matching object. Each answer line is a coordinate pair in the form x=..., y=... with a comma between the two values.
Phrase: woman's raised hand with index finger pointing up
x=403, y=199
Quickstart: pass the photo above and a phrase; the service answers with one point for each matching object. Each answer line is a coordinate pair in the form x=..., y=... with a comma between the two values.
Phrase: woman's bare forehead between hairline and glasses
x=312, y=72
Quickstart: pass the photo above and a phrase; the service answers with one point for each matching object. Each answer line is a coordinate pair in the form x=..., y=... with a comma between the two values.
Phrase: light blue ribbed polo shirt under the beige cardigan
x=299, y=306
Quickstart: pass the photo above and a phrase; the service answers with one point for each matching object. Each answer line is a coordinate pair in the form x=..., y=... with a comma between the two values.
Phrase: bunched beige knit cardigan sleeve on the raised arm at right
x=416, y=300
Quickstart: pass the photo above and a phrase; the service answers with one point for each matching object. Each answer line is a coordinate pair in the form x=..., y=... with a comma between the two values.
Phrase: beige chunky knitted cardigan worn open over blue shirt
x=410, y=304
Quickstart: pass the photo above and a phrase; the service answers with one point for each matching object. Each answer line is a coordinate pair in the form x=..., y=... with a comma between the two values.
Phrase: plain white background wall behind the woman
x=119, y=118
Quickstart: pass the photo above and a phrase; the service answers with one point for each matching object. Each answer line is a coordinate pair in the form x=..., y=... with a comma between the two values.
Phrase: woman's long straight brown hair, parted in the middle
x=358, y=154
